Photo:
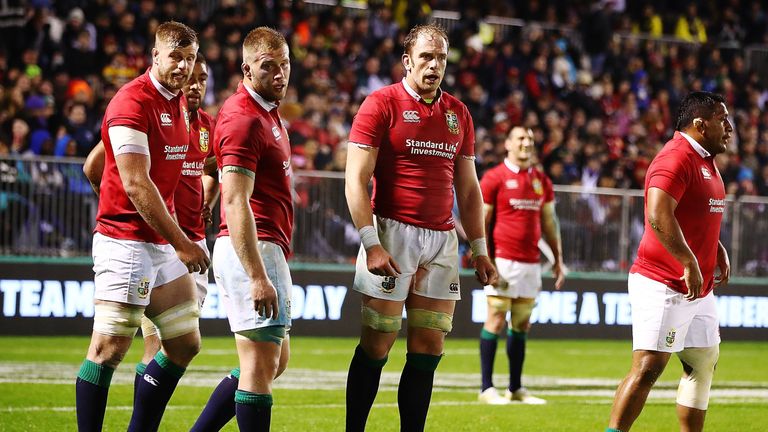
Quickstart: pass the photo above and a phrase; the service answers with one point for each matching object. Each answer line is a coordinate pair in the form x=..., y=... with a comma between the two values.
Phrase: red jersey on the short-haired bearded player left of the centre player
x=249, y=136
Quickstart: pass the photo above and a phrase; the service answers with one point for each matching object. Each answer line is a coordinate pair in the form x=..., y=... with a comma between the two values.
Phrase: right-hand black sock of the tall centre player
x=415, y=390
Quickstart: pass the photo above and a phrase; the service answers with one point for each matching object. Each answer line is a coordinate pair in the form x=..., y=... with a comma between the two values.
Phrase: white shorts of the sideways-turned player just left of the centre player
x=235, y=287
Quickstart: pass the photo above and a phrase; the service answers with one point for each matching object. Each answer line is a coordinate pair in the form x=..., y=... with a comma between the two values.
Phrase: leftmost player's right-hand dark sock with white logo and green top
x=153, y=392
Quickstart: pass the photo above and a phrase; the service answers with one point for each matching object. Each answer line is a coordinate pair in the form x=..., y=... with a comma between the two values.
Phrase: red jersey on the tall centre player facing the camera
x=418, y=146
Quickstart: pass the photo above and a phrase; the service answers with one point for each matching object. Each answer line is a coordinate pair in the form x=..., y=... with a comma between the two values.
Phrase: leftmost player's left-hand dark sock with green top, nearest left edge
x=91, y=391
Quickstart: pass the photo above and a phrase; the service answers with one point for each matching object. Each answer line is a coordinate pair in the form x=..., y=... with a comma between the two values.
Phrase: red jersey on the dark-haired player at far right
x=695, y=183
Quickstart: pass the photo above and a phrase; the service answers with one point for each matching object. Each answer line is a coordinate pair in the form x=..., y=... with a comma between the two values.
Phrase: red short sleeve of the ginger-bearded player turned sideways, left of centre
x=240, y=141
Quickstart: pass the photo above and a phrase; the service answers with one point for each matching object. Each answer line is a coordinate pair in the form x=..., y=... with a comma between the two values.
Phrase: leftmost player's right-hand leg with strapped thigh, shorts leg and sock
x=175, y=311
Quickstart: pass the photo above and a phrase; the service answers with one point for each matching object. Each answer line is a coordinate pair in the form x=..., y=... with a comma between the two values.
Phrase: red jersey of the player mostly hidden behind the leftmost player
x=189, y=193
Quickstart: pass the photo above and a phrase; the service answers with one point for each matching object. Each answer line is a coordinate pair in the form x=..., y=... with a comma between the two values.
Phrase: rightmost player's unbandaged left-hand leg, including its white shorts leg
x=660, y=321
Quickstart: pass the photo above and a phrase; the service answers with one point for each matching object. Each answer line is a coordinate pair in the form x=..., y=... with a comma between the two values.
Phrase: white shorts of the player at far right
x=663, y=320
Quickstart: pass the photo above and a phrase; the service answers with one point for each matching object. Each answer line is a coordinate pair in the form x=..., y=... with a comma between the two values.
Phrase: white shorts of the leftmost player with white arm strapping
x=126, y=271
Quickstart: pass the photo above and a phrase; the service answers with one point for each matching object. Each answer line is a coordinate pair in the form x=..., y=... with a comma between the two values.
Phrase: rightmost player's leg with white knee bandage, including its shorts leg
x=699, y=359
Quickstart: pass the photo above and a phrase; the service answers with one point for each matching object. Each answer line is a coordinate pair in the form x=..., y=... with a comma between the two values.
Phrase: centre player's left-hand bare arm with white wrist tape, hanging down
x=361, y=161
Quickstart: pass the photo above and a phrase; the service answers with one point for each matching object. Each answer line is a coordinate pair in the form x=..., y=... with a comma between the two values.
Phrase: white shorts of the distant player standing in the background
x=516, y=280
